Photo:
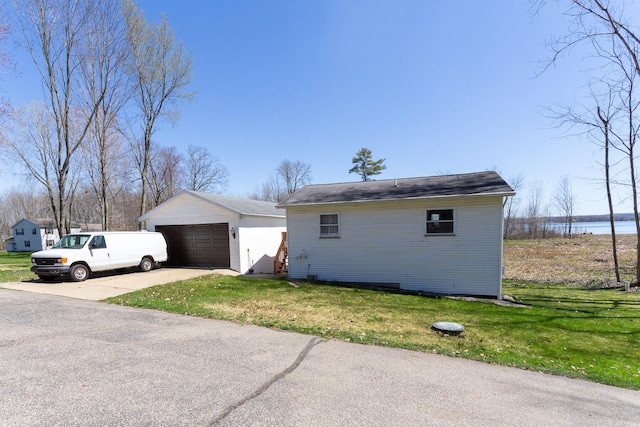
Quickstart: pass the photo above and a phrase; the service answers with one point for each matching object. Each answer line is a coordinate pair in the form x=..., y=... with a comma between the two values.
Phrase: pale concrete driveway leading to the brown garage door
x=111, y=284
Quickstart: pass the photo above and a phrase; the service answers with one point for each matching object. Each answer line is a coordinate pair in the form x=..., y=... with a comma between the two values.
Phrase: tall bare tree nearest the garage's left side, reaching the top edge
x=162, y=73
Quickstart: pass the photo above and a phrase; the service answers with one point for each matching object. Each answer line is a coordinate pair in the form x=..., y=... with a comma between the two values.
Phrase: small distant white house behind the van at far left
x=34, y=235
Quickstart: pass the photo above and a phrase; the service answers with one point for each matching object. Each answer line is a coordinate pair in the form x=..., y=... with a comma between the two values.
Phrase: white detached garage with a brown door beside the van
x=211, y=230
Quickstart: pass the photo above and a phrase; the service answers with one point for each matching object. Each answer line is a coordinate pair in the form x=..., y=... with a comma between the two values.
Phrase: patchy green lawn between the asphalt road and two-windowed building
x=571, y=331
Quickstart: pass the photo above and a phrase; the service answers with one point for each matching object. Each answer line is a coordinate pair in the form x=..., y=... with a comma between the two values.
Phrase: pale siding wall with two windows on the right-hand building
x=385, y=242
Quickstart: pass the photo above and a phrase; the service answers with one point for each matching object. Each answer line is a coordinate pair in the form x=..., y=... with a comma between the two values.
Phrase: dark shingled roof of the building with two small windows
x=469, y=184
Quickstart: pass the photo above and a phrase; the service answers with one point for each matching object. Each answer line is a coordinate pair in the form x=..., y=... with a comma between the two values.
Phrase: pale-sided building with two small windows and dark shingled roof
x=440, y=234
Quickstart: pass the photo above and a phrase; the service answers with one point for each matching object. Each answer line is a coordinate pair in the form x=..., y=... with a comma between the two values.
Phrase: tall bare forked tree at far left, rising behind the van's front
x=56, y=34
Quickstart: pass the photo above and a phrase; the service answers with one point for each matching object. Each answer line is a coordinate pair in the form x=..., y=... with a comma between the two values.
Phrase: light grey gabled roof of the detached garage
x=237, y=205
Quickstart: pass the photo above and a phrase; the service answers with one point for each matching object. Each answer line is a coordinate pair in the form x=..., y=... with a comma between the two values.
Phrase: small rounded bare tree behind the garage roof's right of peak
x=204, y=172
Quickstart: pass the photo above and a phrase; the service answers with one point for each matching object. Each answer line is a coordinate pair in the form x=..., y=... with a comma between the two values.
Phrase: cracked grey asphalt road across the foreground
x=66, y=361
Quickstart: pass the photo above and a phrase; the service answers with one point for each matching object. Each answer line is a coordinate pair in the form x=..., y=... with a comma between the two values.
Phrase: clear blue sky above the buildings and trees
x=432, y=87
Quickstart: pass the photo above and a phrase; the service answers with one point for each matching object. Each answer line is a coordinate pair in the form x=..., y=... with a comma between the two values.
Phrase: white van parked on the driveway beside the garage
x=80, y=254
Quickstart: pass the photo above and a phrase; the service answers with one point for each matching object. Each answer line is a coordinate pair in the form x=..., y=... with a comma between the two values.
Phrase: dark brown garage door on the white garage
x=197, y=245
